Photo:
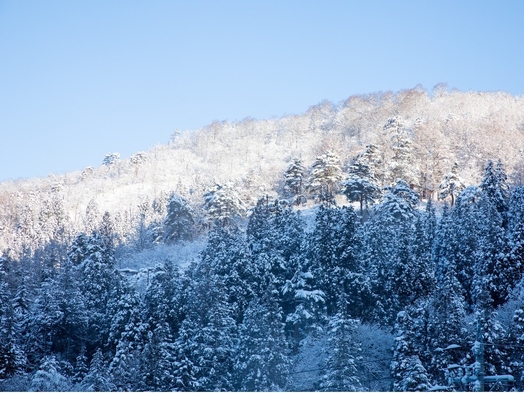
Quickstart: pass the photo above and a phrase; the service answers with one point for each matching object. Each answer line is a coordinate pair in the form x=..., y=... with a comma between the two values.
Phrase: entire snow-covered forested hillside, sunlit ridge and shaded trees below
x=374, y=244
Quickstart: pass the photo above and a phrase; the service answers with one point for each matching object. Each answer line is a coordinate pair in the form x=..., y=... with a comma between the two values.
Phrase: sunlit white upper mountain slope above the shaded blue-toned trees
x=442, y=127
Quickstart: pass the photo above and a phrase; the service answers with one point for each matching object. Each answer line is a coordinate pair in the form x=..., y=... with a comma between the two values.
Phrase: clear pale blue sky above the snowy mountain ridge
x=79, y=79
